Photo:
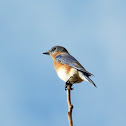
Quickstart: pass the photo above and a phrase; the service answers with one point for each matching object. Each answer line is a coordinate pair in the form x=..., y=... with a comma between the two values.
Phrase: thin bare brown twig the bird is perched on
x=70, y=106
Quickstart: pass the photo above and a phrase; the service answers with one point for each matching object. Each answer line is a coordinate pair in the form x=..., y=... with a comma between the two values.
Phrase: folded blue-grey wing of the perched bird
x=71, y=61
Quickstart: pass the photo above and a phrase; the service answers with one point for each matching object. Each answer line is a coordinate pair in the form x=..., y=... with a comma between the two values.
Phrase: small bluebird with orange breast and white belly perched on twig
x=67, y=67
